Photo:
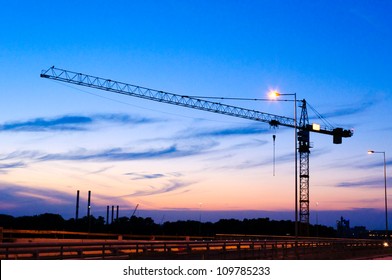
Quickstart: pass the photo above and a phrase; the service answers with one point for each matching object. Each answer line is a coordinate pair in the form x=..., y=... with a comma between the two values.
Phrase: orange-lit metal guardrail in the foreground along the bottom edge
x=252, y=249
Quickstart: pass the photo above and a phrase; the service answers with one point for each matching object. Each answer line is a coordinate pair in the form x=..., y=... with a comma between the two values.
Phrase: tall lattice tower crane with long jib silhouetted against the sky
x=303, y=127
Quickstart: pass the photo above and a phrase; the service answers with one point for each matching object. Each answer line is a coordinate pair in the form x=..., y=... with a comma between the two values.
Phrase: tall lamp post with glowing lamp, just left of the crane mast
x=275, y=94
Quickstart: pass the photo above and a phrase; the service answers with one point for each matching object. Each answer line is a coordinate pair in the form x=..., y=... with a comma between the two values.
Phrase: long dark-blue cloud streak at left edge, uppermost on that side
x=71, y=122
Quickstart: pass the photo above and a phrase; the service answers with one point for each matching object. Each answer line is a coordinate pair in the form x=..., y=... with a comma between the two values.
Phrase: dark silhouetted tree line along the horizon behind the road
x=147, y=226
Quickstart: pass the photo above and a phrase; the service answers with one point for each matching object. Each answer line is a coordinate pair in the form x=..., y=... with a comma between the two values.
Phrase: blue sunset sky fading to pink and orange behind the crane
x=56, y=139
